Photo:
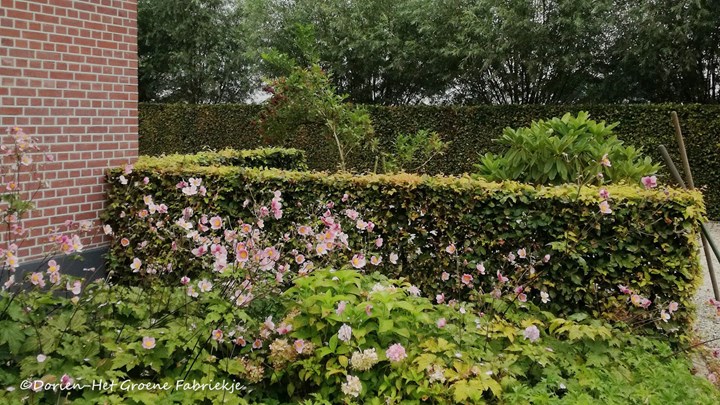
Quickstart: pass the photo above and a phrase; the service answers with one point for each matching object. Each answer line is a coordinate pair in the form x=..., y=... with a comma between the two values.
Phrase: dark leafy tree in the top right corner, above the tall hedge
x=665, y=51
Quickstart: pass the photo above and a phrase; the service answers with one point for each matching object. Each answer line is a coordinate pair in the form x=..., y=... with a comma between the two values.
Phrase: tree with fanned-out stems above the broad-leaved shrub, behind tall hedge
x=529, y=52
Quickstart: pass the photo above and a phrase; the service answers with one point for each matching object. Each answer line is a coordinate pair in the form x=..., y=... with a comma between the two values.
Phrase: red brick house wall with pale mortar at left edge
x=68, y=76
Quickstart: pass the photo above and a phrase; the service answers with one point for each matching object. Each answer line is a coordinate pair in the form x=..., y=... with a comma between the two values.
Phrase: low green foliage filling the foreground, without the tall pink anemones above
x=335, y=337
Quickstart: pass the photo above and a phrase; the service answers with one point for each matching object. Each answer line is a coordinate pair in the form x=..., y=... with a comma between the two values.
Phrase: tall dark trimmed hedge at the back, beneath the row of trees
x=176, y=128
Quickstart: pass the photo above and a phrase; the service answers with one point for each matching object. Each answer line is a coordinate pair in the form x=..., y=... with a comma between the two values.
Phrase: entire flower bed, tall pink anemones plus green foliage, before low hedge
x=301, y=316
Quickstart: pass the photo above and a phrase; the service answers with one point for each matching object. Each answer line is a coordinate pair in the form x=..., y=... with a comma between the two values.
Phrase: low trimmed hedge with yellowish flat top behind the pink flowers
x=649, y=242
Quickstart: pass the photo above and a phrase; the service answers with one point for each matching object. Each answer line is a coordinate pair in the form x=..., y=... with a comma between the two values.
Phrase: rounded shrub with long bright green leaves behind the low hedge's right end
x=565, y=150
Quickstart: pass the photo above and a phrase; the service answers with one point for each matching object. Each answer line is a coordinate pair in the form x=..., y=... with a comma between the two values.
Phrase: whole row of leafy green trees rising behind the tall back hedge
x=416, y=51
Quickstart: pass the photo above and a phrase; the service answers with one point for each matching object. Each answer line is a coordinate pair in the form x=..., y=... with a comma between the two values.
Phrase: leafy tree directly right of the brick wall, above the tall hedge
x=192, y=51
